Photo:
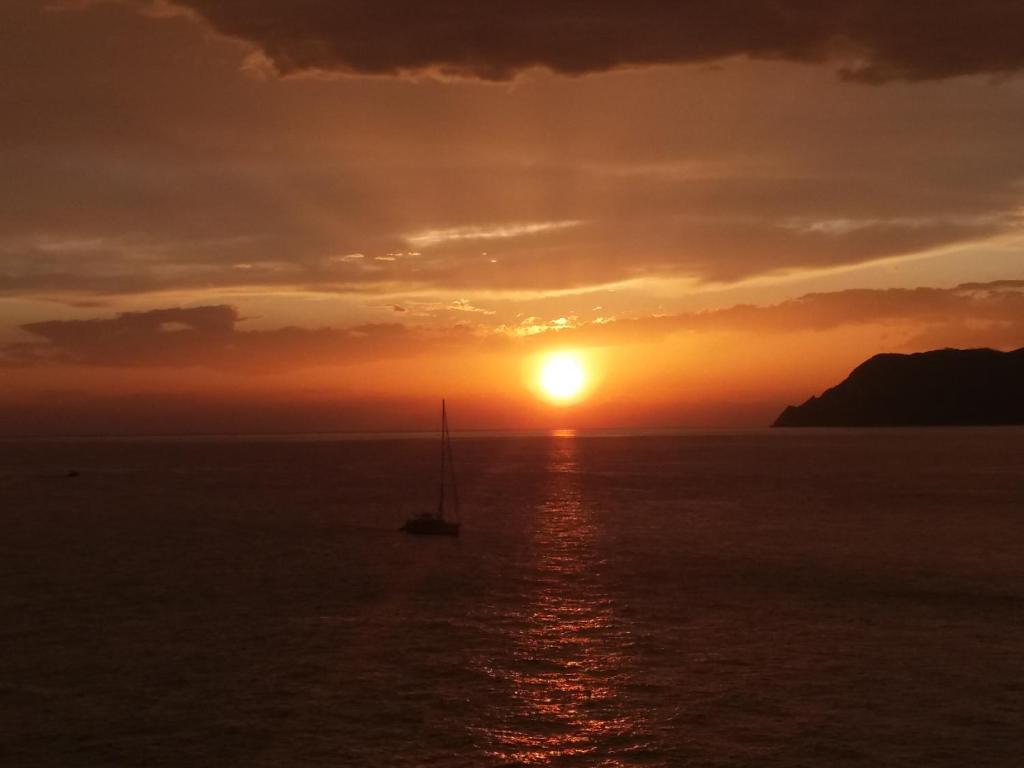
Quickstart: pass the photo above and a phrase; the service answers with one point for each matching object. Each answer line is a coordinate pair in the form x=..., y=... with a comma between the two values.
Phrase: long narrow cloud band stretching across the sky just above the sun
x=975, y=315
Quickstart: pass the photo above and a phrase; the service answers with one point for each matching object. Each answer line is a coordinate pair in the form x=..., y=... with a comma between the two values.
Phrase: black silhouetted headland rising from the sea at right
x=942, y=388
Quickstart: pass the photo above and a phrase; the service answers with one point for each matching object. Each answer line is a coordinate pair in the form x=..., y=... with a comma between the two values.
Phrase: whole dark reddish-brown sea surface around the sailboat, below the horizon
x=767, y=599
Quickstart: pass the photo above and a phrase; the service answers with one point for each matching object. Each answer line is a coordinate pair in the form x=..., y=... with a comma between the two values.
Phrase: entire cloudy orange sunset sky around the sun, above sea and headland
x=291, y=216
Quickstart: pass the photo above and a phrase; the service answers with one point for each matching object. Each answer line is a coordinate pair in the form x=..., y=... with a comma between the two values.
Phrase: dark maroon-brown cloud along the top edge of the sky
x=872, y=40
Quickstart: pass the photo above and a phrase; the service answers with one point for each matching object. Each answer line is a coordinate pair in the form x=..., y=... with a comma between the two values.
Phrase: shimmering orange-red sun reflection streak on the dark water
x=569, y=649
